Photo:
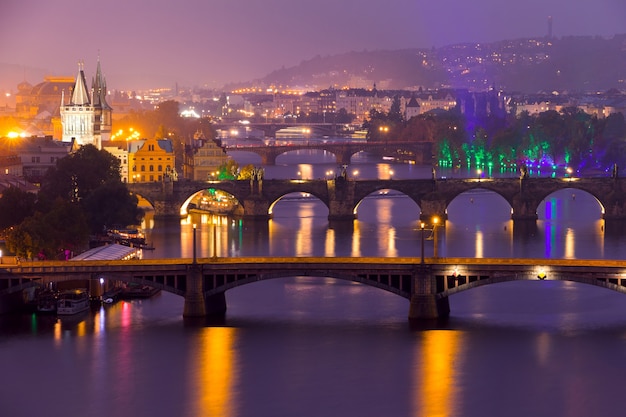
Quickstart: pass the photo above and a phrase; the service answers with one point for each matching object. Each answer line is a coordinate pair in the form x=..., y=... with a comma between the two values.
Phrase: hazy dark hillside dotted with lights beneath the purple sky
x=528, y=65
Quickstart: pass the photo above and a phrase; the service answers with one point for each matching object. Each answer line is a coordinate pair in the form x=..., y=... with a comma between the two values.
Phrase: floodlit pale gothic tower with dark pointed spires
x=86, y=119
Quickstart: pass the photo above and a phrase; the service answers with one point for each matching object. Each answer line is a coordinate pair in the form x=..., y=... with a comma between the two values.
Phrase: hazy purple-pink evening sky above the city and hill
x=152, y=43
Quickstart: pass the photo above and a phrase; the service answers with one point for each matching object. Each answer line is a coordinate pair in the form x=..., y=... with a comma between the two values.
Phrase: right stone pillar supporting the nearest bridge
x=424, y=301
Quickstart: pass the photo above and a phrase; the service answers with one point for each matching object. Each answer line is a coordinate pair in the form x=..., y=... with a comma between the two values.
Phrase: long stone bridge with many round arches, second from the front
x=343, y=195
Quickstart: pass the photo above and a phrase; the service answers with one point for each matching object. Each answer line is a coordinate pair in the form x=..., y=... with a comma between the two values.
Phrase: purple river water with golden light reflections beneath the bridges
x=314, y=346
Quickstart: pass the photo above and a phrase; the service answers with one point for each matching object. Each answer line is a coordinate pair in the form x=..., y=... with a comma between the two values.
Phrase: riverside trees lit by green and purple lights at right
x=567, y=138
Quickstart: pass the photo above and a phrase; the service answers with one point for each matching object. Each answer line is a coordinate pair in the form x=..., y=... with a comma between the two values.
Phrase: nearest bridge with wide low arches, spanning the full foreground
x=426, y=283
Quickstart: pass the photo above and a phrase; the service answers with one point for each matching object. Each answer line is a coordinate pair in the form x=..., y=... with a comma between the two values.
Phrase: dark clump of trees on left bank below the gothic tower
x=79, y=197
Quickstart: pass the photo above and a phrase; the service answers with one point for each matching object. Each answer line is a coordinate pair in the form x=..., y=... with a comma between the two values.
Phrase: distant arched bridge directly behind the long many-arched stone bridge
x=417, y=152
